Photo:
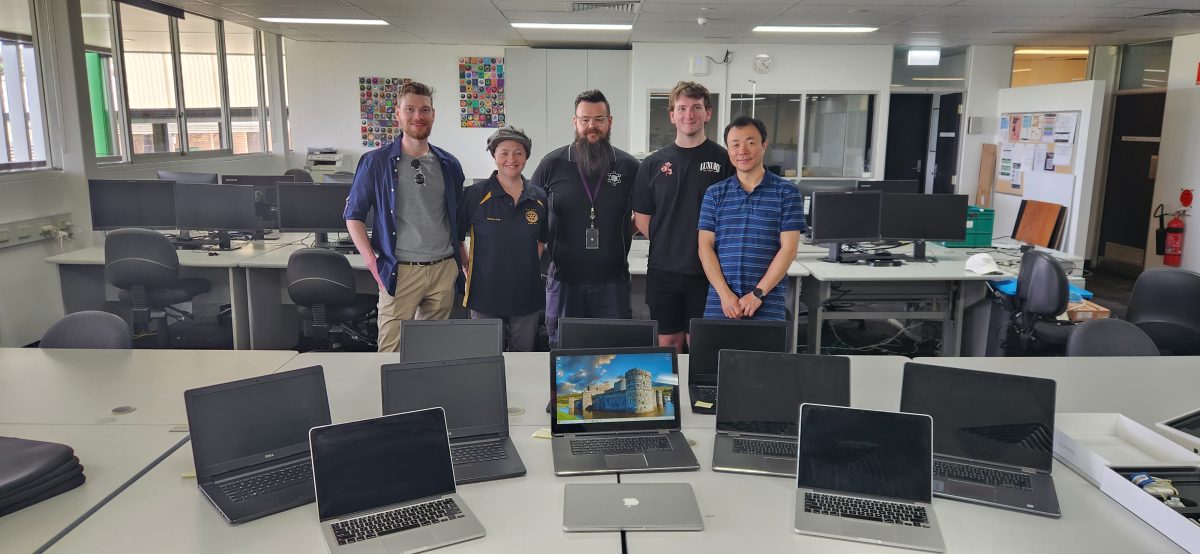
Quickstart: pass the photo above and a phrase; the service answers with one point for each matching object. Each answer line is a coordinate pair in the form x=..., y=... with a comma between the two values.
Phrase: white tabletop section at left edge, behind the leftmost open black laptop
x=83, y=387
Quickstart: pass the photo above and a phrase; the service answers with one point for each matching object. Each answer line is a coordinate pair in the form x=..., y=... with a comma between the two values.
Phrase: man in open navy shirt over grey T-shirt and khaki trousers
x=415, y=190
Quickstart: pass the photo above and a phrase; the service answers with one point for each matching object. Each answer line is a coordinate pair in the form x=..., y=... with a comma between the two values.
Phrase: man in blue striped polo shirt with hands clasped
x=749, y=228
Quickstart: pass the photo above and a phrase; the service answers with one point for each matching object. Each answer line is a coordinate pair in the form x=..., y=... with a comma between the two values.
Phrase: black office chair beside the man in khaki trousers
x=321, y=284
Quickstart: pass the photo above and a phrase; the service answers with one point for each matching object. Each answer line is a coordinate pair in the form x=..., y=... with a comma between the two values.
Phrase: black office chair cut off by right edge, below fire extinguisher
x=1166, y=304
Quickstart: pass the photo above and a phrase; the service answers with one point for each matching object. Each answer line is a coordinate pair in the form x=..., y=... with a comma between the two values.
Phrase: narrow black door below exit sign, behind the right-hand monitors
x=908, y=137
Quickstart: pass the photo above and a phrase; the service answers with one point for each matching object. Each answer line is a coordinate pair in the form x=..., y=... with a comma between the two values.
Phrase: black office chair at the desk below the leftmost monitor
x=145, y=266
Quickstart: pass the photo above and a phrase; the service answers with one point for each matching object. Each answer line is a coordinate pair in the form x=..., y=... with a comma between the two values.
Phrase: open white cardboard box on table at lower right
x=1093, y=443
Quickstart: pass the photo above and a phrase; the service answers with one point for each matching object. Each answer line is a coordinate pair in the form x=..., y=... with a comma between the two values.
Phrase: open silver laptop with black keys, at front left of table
x=386, y=485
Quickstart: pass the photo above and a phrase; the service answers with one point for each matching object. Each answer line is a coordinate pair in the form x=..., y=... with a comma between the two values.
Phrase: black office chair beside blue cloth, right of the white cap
x=1042, y=294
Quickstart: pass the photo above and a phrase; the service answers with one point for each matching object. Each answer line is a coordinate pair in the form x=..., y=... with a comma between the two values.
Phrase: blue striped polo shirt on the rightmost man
x=748, y=227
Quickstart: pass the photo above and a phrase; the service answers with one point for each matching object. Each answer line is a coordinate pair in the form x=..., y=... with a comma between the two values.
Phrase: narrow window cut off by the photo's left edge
x=23, y=144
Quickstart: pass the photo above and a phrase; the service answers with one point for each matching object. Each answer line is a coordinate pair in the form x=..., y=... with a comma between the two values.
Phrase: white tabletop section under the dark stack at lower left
x=111, y=456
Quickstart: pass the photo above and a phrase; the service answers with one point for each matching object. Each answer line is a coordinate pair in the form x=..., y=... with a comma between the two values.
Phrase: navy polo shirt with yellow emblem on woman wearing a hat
x=506, y=275
